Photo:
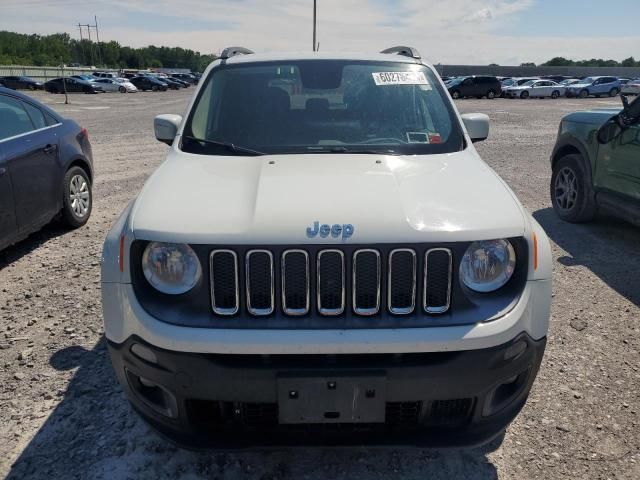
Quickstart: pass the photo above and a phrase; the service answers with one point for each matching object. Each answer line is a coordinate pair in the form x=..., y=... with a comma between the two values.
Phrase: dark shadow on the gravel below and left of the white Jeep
x=93, y=433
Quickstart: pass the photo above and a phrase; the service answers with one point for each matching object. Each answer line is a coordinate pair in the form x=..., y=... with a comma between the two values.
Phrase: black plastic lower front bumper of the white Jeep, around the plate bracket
x=431, y=399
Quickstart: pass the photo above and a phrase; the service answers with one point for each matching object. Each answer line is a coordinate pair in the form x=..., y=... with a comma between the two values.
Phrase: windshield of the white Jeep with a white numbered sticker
x=322, y=106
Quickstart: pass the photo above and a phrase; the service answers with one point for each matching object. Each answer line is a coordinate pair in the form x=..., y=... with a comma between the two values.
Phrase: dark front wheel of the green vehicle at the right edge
x=571, y=190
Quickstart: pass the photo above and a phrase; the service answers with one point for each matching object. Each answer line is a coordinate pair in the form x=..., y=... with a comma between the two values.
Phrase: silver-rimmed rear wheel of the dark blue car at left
x=78, y=200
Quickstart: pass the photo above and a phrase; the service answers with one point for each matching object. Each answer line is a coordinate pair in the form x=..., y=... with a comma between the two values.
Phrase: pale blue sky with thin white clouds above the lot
x=477, y=32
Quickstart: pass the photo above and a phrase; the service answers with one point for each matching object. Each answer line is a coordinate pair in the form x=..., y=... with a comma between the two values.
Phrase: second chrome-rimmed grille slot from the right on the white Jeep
x=402, y=281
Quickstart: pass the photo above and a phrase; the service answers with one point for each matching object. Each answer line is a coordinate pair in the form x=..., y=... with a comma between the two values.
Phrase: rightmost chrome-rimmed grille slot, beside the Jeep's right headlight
x=437, y=280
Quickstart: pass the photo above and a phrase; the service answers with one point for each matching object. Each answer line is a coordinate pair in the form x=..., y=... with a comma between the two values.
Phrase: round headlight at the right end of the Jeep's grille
x=488, y=265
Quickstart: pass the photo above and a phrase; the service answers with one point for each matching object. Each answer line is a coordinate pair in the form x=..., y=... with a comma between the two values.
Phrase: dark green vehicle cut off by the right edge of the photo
x=596, y=164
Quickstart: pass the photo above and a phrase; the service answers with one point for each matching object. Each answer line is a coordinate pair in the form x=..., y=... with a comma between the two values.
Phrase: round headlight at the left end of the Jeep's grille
x=171, y=268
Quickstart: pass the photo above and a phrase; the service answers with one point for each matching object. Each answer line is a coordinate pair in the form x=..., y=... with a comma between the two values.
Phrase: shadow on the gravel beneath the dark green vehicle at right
x=608, y=247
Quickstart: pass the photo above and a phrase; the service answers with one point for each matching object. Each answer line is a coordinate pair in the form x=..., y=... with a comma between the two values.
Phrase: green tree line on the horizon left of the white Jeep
x=60, y=48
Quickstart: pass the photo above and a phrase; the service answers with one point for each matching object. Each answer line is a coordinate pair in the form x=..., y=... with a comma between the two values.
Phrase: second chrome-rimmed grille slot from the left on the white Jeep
x=260, y=288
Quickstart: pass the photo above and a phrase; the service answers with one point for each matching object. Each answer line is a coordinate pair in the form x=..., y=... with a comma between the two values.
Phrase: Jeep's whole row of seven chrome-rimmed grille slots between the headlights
x=330, y=282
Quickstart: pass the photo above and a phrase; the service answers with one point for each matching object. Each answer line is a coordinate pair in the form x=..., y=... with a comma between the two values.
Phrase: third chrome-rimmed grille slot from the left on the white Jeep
x=295, y=282
